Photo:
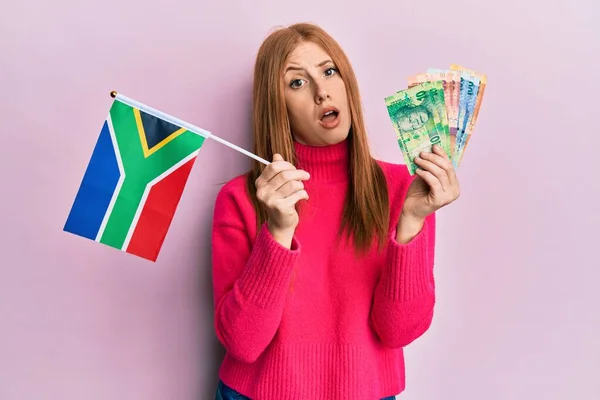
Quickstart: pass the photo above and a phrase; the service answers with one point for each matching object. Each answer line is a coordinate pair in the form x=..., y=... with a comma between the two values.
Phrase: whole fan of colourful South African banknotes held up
x=439, y=106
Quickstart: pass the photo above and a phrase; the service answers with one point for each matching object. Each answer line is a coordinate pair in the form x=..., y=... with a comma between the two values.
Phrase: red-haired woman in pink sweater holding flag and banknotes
x=322, y=260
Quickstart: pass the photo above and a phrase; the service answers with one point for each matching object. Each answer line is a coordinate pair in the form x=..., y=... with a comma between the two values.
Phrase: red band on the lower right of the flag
x=157, y=214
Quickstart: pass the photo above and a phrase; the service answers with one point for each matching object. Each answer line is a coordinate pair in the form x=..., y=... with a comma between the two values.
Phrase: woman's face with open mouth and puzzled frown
x=315, y=96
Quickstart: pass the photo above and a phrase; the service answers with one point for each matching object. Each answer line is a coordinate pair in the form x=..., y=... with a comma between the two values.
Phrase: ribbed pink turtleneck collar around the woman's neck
x=324, y=163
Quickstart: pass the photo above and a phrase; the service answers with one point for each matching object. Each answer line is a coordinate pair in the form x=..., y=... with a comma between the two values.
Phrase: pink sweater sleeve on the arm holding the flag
x=250, y=281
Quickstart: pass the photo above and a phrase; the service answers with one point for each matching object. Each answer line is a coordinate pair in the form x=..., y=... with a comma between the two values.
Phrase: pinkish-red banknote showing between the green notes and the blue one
x=451, y=85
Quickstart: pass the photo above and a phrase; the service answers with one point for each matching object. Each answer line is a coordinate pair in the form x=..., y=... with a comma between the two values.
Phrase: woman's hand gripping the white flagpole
x=279, y=188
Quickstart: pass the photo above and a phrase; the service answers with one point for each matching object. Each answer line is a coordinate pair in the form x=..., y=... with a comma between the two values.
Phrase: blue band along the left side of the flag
x=96, y=189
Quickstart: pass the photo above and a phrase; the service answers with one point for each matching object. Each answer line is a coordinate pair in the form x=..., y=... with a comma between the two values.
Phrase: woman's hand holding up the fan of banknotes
x=435, y=186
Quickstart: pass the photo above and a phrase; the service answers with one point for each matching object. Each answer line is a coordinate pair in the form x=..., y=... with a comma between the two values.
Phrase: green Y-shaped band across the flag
x=139, y=171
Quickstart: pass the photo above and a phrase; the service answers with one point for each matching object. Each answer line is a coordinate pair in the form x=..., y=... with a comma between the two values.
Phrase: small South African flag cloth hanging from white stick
x=134, y=181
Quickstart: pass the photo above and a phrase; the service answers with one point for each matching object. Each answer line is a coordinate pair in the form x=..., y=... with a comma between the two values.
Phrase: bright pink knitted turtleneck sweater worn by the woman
x=313, y=322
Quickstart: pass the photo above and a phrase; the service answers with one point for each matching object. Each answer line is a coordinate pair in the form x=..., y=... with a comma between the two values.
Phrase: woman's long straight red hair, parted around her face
x=366, y=208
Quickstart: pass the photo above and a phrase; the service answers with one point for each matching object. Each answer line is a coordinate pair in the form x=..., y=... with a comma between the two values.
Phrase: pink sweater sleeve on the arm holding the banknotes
x=405, y=295
